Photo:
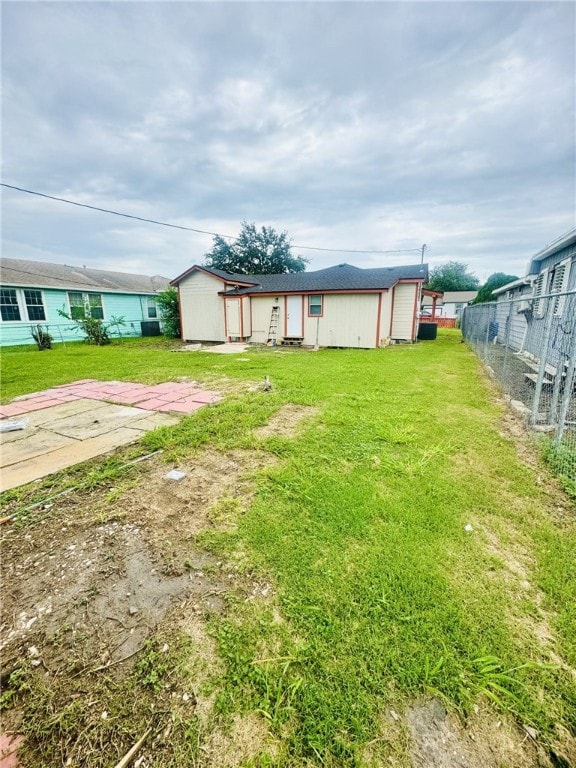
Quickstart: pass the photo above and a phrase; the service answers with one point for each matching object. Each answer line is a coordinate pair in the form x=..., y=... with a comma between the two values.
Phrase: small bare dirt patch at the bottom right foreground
x=440, y=740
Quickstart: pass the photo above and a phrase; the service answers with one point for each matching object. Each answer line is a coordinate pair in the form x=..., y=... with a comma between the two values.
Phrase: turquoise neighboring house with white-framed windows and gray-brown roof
x=32, y=292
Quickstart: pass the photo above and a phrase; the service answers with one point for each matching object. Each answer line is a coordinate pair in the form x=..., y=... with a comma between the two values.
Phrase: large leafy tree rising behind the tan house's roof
x=255, y=252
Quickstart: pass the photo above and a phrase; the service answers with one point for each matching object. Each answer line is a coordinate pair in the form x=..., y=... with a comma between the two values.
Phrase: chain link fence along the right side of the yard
x=529, y=345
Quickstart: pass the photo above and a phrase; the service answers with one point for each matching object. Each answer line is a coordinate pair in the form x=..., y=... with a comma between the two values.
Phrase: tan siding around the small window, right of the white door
x=348, y=320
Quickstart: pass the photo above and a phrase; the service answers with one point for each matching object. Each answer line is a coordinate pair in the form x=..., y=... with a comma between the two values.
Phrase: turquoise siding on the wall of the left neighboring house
x=133, y=308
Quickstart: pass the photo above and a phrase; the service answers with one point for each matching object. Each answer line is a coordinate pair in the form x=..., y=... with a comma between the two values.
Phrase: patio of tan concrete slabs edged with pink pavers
x=75, y=422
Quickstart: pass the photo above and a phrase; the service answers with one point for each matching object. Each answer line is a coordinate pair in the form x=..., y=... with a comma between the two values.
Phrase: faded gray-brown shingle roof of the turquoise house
x=39, y=274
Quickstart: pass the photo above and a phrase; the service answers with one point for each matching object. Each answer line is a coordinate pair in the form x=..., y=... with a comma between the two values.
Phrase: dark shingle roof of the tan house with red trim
x=343, y=277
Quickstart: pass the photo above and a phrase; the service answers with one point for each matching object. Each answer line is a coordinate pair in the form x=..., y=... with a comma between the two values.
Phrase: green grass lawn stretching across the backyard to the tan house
x=360, y=528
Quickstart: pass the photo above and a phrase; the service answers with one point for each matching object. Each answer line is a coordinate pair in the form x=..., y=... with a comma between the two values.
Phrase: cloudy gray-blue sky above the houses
x=352, y=125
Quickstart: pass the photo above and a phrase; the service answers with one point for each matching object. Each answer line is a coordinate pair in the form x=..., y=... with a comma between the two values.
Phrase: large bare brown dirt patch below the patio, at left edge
x=89, y=592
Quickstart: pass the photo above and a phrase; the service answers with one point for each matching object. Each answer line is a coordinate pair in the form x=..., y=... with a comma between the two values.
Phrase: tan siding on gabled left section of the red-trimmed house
x=201, y=309
